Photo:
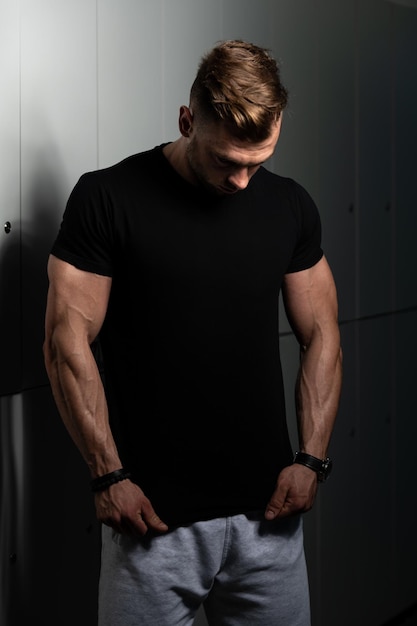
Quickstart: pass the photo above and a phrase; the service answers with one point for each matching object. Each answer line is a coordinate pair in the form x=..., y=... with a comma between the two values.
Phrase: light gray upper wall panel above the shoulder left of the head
x=130, y=76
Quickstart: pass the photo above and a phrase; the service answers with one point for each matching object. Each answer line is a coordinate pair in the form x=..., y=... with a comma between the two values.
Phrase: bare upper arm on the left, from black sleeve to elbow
x=77, y=300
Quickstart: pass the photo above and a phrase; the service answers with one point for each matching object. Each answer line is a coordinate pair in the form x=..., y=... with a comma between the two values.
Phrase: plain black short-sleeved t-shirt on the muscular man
x=190, y=341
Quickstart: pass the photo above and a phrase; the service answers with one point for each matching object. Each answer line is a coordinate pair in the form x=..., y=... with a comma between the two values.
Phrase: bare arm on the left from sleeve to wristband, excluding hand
x=77, y=304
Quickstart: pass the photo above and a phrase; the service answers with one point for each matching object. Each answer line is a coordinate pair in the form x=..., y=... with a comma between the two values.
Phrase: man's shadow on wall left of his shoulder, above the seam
x=24, y=253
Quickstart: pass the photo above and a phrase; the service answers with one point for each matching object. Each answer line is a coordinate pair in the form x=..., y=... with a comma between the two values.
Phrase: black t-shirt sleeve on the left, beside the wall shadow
x=85, y=236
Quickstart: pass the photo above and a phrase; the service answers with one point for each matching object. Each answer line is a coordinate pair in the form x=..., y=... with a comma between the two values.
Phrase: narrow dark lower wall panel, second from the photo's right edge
x=374, y=482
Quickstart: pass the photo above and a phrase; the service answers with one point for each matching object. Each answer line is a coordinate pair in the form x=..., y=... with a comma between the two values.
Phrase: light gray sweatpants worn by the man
x=245, y=570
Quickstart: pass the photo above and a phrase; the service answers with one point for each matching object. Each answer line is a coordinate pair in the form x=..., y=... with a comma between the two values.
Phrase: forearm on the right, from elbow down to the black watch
x=318, y=392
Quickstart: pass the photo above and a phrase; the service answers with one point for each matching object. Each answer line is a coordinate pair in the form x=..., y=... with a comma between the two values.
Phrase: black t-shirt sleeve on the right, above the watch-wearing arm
x=308, y=250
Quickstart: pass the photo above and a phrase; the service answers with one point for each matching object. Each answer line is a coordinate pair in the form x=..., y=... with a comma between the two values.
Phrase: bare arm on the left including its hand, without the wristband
x=76, y=308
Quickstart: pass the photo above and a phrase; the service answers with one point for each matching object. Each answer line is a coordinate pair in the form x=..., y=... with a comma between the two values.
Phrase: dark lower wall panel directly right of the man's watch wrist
x=339, y=523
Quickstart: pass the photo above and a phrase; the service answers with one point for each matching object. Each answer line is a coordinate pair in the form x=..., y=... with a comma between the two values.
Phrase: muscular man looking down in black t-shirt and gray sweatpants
x=175, y=258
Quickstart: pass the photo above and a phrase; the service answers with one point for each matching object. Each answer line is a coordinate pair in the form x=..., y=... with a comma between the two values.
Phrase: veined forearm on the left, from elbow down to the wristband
x=79, y=395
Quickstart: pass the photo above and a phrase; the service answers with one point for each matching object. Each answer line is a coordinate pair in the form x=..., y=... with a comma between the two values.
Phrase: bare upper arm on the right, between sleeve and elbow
x=310, y=301
